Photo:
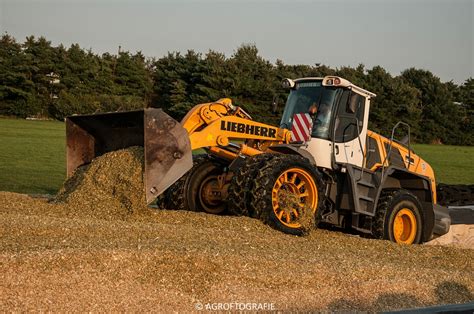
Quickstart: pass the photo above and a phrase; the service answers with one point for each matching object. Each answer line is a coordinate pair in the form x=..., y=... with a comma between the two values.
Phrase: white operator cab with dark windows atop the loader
x=339, y=113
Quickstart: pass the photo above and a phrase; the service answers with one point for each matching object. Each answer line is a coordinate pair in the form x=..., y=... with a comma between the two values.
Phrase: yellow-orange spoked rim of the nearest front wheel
x=293, y=192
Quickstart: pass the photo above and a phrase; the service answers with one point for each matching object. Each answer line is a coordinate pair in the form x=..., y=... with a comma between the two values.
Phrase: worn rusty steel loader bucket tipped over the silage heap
x=168, y=154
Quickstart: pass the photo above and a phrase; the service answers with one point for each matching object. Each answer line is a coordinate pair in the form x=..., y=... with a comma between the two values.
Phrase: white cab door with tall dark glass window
x=350, y=125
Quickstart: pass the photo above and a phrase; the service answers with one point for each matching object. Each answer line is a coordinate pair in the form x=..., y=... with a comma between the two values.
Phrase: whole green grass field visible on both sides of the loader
x=32, y=157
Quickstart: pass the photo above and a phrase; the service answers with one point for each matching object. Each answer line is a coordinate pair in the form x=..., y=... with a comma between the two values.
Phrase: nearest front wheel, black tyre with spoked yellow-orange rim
x=267, y=197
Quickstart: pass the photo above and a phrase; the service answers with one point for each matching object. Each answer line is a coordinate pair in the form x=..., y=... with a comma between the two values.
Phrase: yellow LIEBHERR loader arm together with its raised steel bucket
x=221, y=128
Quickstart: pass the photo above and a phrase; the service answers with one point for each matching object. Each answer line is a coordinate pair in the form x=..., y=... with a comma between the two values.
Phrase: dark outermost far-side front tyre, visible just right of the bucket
x=174, y=196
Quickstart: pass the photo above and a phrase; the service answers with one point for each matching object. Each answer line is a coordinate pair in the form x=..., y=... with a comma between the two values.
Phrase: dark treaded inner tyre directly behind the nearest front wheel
x=242, y=183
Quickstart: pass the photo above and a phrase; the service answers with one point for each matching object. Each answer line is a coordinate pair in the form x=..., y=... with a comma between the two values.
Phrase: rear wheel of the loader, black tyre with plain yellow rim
x=398, y=217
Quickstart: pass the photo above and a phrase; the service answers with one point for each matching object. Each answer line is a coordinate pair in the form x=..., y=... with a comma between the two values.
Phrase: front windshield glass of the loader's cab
x=314, y=99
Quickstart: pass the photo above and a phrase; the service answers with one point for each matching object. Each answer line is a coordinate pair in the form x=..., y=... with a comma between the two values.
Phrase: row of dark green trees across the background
x=39, y=80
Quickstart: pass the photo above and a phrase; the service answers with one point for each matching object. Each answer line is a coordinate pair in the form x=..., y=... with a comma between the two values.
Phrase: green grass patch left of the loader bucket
x=32, y=156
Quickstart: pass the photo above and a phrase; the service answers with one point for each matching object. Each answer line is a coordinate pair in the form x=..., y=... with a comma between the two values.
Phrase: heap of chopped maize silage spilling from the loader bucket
x=110, y=187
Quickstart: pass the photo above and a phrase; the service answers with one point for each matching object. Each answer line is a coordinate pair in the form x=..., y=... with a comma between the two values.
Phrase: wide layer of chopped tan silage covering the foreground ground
x=55, y=259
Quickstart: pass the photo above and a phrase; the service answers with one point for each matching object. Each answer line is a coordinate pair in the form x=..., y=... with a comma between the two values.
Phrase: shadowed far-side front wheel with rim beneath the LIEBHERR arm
x=202, y=190
